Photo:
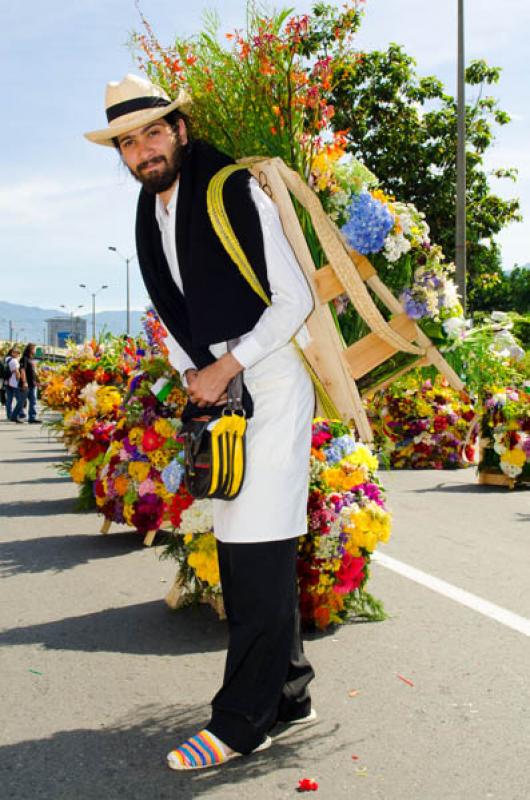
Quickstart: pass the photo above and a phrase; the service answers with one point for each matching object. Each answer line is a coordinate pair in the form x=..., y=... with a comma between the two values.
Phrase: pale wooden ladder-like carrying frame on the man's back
x=347, y=272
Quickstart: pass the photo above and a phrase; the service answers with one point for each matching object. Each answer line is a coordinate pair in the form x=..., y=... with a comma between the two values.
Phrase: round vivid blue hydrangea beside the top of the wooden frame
x=368, y=225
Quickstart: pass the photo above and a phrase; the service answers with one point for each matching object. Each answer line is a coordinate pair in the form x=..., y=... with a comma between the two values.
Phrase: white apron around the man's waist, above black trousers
x=272, y=504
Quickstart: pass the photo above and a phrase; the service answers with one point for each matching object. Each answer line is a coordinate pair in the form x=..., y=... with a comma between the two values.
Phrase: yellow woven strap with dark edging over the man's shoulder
x=223, y=228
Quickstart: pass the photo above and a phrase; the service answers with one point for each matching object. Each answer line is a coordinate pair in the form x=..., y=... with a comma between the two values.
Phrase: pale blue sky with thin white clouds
x=64, y=201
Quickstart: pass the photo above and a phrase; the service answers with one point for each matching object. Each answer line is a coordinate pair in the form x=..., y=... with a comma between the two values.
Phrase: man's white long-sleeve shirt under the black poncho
x=291, y=299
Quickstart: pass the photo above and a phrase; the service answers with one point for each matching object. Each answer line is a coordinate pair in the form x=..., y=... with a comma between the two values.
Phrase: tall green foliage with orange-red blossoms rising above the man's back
x=259, y=91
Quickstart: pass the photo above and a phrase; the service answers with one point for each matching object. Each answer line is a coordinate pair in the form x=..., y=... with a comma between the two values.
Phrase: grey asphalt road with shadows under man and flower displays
x=99, y=679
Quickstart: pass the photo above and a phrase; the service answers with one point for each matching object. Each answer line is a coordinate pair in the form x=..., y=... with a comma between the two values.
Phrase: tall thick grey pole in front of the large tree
x=460, y=248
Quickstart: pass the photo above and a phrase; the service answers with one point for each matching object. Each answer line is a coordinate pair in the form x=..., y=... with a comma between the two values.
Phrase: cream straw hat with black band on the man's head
x=132, y=103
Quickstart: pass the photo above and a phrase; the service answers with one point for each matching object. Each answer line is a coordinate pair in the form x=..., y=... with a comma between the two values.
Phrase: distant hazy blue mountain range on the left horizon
x=28, y=323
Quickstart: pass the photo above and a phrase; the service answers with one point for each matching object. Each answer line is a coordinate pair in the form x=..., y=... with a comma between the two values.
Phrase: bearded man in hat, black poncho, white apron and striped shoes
x=205, y=303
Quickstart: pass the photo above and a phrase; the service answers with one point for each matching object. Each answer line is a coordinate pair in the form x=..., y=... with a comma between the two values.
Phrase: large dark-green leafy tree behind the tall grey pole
x=404, y=128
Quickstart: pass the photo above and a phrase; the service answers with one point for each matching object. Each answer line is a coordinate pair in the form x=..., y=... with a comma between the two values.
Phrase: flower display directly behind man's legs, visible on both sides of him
x=347, y=519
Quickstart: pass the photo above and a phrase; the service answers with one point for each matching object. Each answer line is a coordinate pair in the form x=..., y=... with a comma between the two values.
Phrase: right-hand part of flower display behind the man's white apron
x=347, y=519
